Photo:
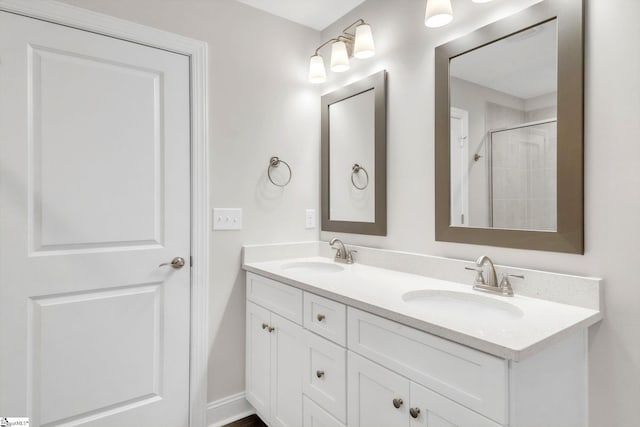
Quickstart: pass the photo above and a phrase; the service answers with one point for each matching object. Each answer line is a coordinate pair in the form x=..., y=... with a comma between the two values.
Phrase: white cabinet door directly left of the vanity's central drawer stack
x=286, y=373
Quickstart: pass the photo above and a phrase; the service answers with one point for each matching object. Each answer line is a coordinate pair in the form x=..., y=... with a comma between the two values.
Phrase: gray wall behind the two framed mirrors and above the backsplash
x=612, y=181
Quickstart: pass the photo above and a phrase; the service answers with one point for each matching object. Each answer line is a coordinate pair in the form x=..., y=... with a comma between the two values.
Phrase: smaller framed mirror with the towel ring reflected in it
x=354, y=157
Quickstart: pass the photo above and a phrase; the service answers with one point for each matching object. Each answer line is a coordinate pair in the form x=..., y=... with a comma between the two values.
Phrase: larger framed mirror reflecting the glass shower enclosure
x=509, y=132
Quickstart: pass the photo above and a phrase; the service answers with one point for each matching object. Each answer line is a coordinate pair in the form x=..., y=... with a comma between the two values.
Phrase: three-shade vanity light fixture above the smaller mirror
x=355, y=40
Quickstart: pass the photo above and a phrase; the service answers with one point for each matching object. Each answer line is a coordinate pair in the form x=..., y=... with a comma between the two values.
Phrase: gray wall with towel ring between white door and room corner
x=260, y=105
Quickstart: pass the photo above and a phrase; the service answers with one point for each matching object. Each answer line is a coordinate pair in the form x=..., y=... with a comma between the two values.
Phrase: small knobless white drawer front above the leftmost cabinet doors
x=277, y=297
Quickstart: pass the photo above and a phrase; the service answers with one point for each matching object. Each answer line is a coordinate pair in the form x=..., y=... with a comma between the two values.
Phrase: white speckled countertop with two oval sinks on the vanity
x=527, y=326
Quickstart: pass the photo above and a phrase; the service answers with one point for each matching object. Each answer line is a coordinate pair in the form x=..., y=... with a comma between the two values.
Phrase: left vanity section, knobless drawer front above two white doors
x=274, y=347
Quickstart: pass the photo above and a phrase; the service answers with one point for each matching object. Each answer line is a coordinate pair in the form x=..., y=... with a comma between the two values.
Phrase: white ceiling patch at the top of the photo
x=316, y=14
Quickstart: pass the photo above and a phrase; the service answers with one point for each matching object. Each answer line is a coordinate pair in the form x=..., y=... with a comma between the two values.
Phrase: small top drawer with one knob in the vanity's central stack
x=326, y=317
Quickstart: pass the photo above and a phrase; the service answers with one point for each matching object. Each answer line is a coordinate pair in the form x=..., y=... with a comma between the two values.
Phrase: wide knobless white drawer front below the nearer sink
x=476, y=380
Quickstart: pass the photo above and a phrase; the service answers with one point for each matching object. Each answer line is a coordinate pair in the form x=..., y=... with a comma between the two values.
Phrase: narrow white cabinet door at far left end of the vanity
x=258, y=358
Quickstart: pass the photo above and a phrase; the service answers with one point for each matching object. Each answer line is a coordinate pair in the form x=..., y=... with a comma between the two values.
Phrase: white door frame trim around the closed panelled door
x=196, y=50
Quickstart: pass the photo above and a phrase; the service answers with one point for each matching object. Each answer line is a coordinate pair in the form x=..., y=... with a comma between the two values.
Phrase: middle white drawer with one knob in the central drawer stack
x=324, y=378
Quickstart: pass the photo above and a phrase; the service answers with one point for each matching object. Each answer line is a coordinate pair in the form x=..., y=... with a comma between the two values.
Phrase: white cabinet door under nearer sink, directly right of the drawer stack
x=374, y=393
